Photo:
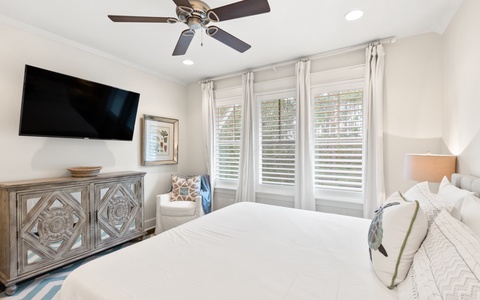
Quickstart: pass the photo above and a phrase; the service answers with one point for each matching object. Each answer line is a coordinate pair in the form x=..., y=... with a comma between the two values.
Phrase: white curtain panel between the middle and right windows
x=304, y=146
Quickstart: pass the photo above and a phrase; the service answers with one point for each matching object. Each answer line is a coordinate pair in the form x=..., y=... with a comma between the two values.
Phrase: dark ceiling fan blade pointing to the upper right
x=238, y=10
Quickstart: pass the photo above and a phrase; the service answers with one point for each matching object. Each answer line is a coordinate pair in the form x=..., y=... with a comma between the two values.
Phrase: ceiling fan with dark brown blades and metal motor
x=197, y=14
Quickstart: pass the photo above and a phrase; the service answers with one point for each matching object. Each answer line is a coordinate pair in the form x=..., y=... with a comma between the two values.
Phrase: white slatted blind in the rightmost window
x=339, y=139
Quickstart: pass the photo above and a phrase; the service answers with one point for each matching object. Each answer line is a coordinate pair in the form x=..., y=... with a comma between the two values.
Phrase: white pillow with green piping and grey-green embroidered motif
x=396, y=232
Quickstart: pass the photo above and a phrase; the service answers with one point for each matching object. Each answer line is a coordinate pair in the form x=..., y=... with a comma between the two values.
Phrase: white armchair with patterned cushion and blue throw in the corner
x=188, y=200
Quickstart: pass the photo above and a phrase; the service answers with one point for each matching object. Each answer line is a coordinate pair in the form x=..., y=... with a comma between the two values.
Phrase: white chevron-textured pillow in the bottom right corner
x=447, y=264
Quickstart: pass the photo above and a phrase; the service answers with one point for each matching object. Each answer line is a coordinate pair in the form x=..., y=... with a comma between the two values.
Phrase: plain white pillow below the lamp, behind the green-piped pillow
x=430, y=203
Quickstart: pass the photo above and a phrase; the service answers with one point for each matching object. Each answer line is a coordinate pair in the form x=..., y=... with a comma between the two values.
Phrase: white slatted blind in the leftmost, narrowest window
x=228, y=127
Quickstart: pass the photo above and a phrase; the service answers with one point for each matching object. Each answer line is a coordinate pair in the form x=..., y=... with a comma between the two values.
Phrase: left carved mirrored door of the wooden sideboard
x=53, y=225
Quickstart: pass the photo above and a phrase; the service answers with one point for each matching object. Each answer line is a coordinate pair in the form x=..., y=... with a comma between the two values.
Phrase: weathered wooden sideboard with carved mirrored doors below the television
x=48, y=223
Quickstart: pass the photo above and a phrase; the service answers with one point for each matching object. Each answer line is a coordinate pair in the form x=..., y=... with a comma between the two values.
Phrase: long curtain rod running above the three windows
x=389, y=40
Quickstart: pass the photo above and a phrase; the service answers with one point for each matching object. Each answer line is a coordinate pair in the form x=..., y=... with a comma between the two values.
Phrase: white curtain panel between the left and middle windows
x=246, y=170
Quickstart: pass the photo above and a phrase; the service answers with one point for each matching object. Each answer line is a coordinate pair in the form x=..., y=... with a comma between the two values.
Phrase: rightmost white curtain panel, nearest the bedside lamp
x=374, y=184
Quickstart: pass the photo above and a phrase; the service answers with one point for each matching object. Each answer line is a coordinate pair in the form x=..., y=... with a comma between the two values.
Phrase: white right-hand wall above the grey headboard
x=461, y=60
